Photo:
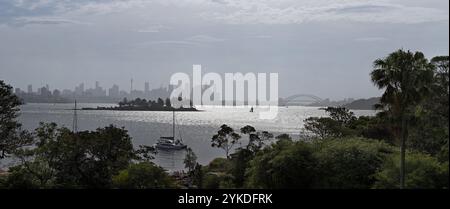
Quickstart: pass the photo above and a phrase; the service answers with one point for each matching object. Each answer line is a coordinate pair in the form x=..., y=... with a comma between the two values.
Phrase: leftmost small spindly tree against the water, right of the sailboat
x=225, y=139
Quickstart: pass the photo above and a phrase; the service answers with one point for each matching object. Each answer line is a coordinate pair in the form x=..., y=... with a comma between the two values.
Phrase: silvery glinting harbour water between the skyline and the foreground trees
x=195, y=128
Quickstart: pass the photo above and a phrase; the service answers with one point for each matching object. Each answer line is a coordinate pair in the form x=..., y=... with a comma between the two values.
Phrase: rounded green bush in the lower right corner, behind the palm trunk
x=422, y=171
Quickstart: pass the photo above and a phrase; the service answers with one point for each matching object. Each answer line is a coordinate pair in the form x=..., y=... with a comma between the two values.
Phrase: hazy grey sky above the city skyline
x=321, y=47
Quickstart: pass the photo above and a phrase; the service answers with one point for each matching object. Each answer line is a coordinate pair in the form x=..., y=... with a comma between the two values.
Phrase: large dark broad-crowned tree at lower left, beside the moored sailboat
x=85, y=159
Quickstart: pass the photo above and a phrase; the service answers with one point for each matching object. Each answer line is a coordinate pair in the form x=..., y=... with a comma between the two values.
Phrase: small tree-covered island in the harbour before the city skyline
x=139, y=104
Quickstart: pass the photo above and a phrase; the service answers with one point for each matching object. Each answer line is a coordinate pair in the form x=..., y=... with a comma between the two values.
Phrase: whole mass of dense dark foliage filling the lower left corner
x=60, y=158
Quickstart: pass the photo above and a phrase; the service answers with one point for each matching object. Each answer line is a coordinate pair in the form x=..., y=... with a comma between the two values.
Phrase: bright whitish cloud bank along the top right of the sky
x=269, y=12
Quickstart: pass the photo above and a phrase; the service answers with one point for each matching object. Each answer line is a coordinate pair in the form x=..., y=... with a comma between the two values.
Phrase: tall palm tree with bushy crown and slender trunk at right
x=406, y=78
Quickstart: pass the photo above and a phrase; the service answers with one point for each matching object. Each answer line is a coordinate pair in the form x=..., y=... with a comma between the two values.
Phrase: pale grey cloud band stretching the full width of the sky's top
x=238, y=11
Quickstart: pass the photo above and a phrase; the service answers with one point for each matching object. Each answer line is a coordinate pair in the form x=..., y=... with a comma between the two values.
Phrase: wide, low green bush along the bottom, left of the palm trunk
x=329, y=163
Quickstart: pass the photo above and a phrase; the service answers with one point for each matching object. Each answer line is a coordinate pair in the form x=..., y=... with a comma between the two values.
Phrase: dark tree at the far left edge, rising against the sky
x=12, y=136
